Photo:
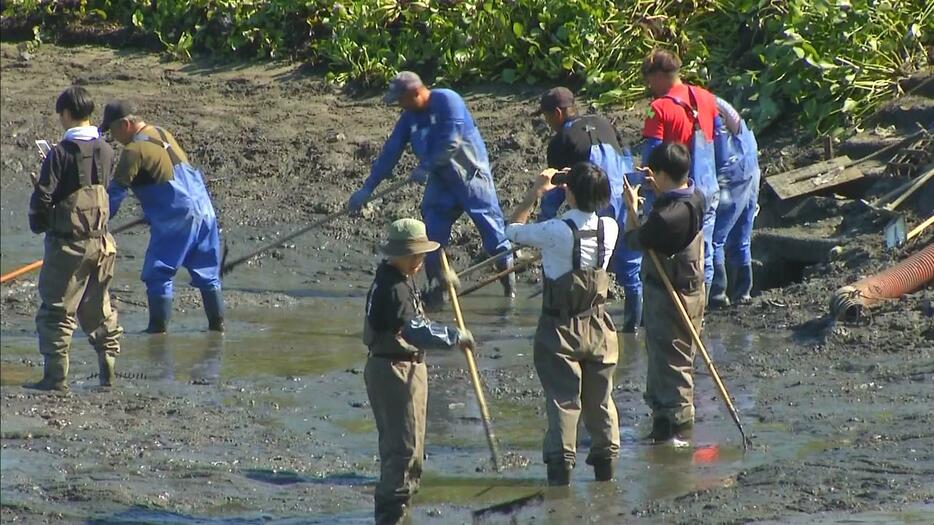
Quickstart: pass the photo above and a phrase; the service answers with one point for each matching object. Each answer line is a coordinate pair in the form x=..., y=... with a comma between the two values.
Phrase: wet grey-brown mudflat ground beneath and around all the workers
x=269, y=423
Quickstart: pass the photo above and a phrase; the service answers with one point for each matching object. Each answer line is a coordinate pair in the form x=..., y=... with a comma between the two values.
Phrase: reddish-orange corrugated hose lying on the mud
x=905, y=277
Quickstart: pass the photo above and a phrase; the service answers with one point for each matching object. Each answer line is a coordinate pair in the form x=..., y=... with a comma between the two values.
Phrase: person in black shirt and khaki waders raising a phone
x=673, y=230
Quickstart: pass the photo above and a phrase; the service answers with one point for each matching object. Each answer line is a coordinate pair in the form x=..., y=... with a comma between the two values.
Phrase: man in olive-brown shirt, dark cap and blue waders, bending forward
x=176, y=204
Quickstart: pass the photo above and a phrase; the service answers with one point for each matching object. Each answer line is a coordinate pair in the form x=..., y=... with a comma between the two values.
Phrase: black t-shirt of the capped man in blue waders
x=572, y=143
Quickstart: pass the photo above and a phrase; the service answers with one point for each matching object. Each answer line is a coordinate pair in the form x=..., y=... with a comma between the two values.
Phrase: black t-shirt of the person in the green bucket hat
x=392, y=300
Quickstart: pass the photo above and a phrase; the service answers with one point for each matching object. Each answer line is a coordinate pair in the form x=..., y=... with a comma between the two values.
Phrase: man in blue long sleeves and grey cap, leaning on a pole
x=453, y=162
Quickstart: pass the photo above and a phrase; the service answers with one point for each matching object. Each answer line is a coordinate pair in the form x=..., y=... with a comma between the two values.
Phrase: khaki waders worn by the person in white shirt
x=575, y=352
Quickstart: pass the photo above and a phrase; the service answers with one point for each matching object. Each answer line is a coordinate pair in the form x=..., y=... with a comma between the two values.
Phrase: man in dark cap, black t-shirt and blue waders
x=593, y=138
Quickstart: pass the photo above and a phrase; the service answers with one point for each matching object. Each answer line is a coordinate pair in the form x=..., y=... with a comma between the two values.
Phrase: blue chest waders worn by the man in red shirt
x=704, y=175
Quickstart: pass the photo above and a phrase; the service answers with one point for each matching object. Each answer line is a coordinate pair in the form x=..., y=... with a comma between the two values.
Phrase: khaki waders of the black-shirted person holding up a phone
x=669, y=389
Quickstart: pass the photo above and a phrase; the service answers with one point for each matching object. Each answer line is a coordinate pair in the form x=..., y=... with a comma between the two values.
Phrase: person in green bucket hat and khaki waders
x=397, y=333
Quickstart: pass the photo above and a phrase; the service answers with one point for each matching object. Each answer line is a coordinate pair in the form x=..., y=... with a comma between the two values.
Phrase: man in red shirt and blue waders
x=687, y=115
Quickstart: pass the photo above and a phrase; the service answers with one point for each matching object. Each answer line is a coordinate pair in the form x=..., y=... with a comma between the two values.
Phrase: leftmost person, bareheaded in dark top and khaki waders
x=69, y=204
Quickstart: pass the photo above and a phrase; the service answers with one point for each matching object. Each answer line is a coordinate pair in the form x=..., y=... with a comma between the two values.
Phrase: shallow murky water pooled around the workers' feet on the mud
x=302, y=366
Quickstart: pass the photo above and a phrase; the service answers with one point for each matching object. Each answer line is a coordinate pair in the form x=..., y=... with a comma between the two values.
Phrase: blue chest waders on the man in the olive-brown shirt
x=183, y=232
